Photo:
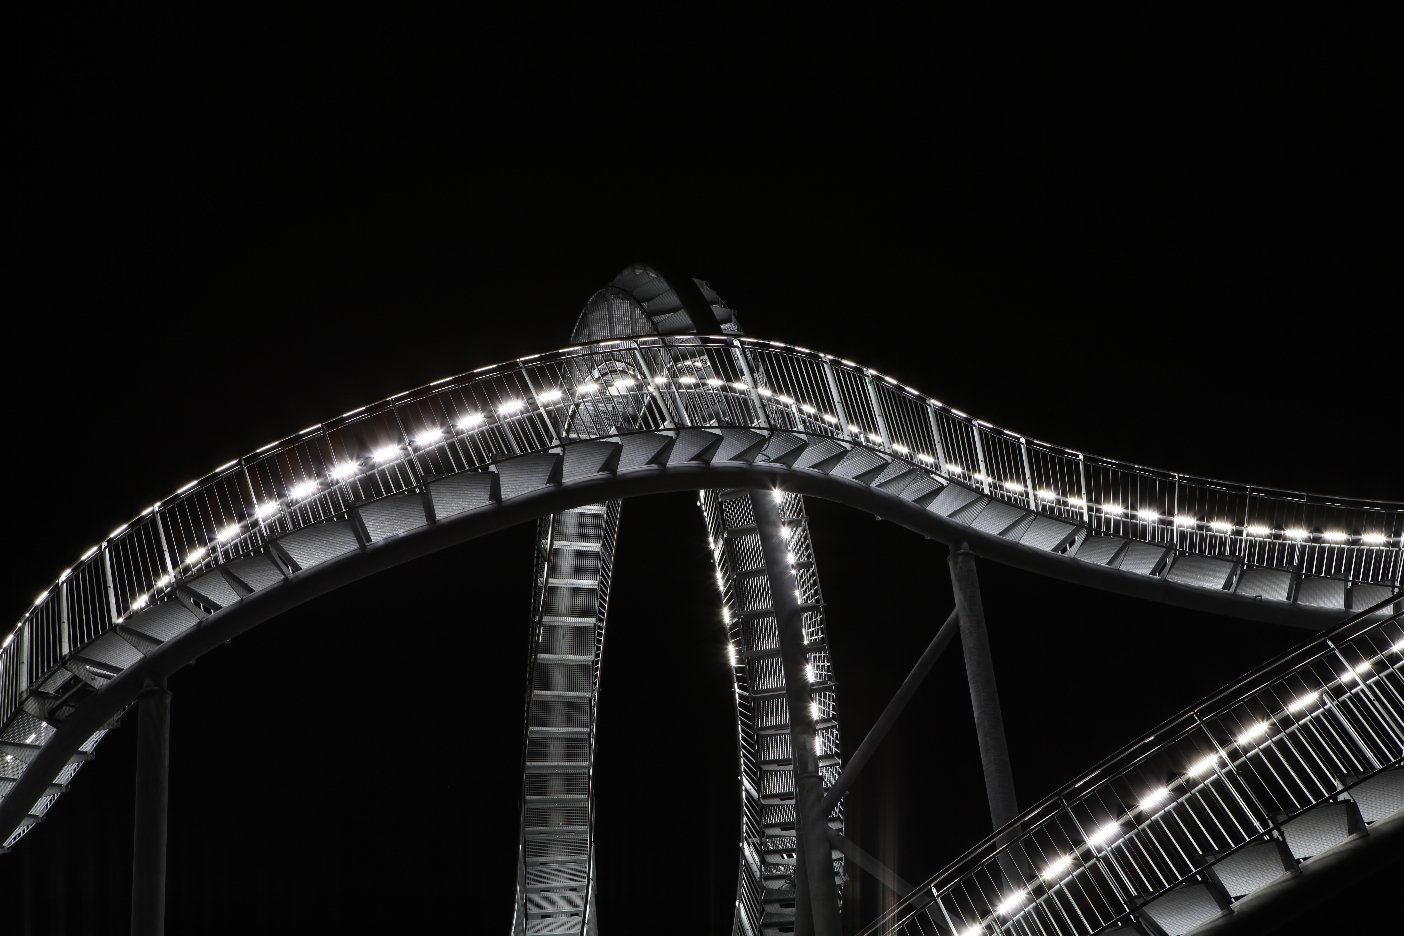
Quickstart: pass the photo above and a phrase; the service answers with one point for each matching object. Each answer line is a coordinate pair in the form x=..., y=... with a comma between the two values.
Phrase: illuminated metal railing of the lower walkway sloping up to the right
x=1226, y=774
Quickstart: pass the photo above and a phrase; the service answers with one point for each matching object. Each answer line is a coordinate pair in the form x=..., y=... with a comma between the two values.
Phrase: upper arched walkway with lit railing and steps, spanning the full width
x=552, y=433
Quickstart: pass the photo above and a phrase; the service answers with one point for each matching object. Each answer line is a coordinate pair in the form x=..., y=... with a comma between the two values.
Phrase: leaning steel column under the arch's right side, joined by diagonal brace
x=989, y=723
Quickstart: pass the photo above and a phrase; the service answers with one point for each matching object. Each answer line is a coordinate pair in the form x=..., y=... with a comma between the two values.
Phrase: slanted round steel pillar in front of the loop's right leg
x=812, y=826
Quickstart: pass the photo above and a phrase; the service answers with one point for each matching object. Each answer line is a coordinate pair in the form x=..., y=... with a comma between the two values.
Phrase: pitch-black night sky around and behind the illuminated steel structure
x=1163, y=250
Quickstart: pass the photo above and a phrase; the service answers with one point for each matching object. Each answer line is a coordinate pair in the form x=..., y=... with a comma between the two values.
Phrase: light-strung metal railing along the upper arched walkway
x=613, y=388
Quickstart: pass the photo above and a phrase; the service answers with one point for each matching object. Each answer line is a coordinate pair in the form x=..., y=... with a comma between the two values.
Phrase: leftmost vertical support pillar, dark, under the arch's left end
x=154, y=735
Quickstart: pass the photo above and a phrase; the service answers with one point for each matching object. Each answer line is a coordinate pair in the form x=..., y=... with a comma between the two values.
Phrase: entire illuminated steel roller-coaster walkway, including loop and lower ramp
x=1177, y=831
